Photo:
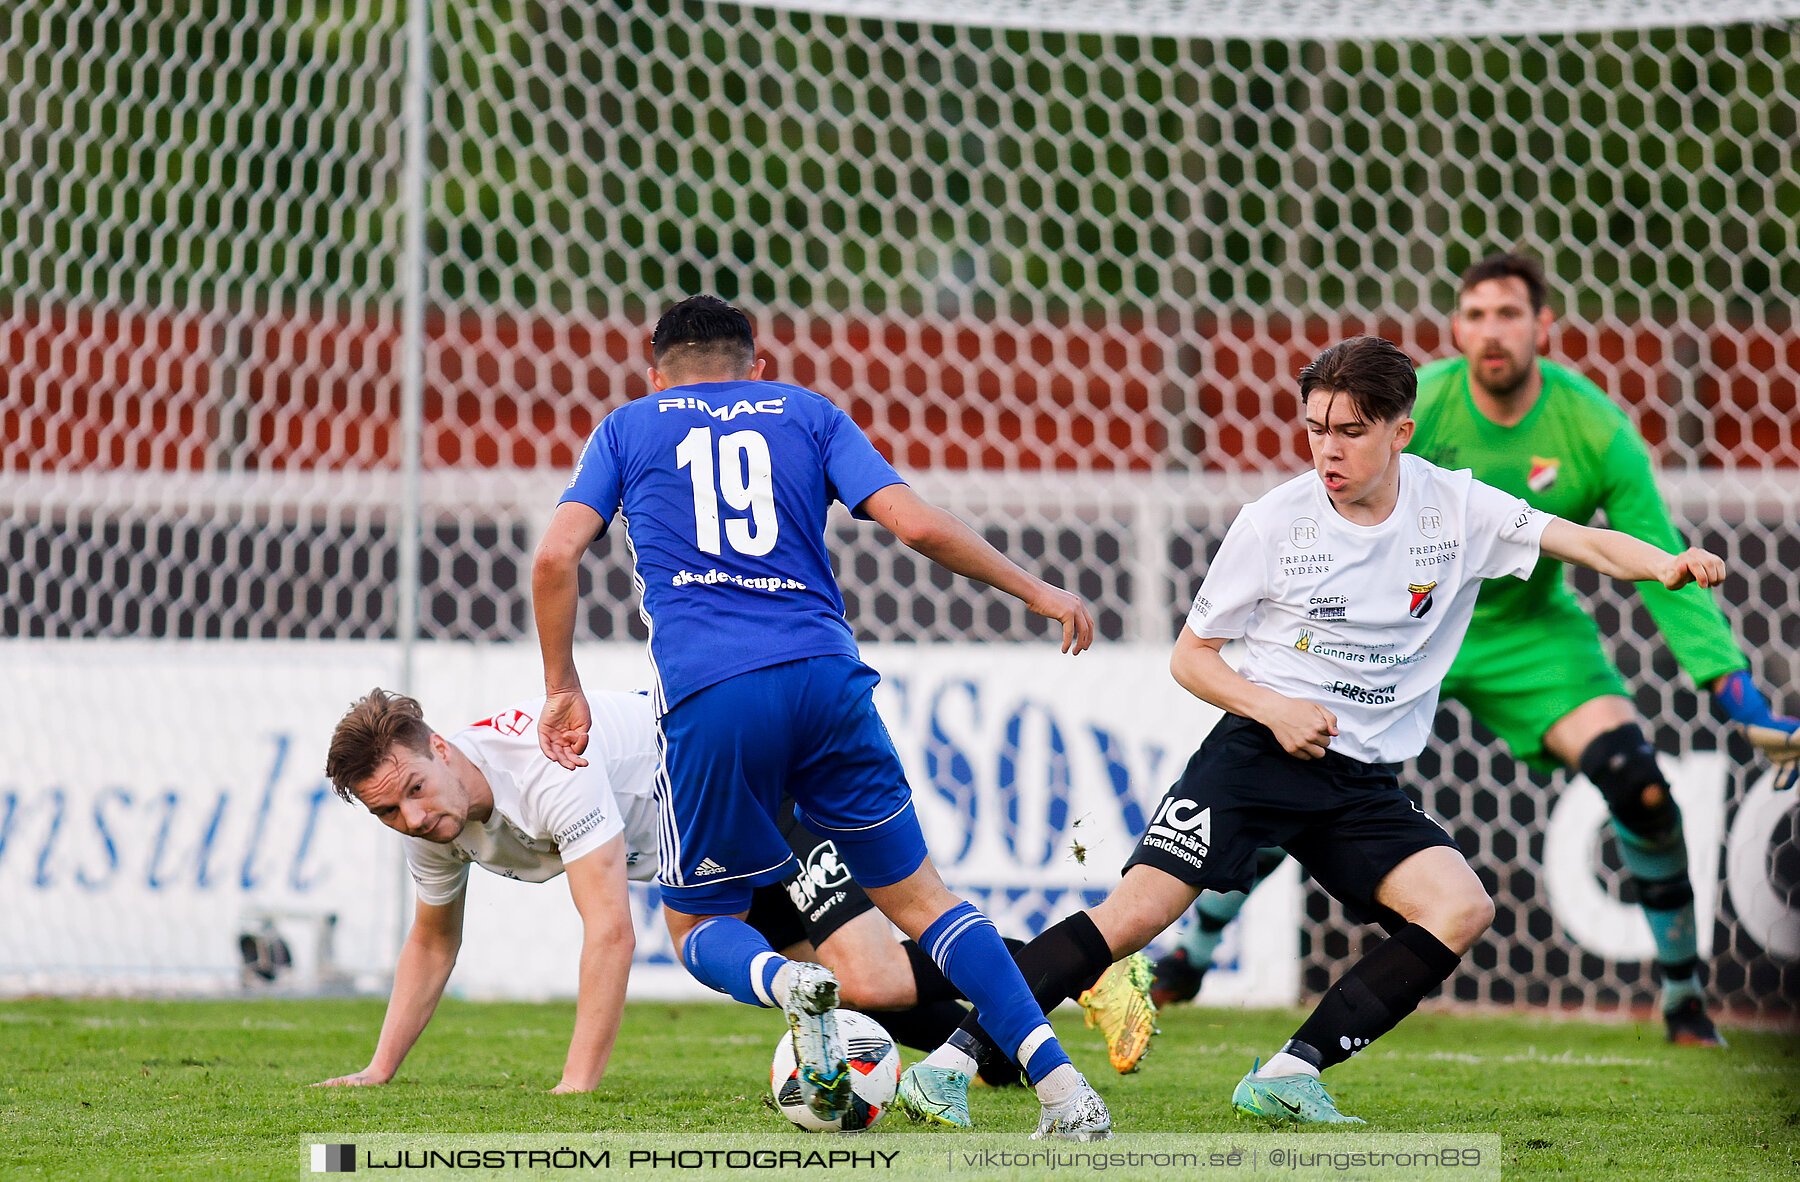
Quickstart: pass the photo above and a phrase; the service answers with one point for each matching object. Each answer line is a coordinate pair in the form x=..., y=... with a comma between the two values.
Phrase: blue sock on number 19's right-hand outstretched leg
x=975, y=958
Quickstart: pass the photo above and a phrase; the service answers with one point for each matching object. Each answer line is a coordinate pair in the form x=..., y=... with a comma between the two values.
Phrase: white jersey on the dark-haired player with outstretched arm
x=1365, y=620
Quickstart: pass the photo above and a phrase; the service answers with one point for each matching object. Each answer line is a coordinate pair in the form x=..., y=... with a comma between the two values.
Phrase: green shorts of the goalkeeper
x=1522, y=677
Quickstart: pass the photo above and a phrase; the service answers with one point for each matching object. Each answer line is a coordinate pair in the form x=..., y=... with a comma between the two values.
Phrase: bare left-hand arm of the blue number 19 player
x=555, y=575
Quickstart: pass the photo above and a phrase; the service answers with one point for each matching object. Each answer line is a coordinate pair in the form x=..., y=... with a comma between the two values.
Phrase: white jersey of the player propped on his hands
x=543, y=812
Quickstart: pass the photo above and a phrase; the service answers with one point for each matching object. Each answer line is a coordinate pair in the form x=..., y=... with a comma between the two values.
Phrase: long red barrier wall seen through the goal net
x=175, y=391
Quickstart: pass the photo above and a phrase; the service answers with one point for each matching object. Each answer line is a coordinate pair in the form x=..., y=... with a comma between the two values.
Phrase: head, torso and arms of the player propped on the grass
x=489, y=796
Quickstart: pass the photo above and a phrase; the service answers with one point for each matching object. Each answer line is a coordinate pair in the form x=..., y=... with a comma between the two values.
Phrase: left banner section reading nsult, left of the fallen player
x=157, y=801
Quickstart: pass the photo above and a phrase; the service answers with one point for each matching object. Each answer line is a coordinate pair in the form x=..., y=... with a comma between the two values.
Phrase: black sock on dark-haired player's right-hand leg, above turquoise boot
x=1374, y=996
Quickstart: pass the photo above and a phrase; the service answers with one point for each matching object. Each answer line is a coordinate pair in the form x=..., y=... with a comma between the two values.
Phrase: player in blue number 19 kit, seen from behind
x=724, y=483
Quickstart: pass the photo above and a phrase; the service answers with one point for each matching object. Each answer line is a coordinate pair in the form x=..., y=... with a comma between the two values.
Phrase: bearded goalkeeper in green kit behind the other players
x=1533, y=667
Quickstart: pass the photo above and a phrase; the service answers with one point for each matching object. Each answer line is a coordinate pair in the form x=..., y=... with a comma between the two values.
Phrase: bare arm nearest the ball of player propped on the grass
x=597, y=884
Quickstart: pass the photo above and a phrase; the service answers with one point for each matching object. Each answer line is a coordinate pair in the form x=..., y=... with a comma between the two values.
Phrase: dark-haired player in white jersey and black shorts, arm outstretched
x=1351, y=587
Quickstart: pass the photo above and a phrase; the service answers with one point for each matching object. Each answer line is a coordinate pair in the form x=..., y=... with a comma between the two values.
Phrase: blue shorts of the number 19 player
x=805, y=730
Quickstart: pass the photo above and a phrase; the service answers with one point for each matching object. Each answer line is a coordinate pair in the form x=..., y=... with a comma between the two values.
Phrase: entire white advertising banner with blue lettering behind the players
x=163, y=801
